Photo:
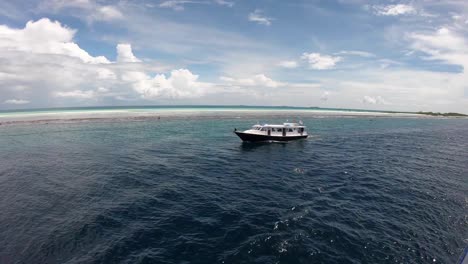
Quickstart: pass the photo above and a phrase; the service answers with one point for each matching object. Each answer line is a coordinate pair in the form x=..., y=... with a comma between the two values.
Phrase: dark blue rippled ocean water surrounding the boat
x=361, y=190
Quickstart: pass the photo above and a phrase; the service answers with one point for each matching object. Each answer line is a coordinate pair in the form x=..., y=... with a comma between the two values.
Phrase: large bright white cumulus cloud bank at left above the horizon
x=58, y=68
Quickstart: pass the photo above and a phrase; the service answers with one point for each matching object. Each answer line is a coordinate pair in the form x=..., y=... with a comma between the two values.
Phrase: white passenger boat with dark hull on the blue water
x=272, y=133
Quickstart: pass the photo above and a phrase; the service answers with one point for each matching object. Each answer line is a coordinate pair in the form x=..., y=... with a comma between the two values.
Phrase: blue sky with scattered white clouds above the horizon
x=384, y=55
